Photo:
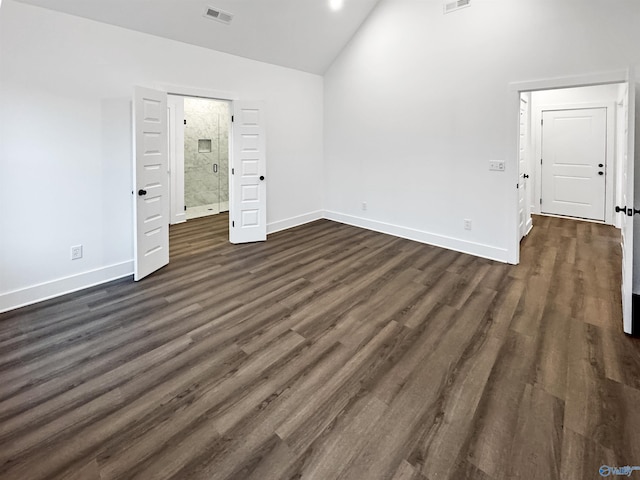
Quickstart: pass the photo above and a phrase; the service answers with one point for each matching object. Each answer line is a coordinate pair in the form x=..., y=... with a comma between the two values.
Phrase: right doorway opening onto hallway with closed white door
x=569, y=153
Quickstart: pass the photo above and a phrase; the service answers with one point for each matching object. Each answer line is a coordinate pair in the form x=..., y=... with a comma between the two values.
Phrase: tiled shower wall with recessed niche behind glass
x=206, y=119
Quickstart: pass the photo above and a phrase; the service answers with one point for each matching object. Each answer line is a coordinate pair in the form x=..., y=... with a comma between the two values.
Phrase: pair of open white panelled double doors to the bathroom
x=247, y=188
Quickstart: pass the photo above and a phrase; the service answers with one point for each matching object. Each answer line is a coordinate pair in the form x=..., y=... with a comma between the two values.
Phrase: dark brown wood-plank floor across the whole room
x=330, y=352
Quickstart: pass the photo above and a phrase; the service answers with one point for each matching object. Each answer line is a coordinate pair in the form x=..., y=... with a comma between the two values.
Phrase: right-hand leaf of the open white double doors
x=247, y=195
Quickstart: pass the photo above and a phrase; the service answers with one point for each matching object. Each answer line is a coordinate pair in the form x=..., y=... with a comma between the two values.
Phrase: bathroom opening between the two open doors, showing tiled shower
x=199, y=156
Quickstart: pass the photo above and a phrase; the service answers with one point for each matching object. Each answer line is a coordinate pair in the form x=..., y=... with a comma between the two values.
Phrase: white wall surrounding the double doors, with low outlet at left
x=65, y=142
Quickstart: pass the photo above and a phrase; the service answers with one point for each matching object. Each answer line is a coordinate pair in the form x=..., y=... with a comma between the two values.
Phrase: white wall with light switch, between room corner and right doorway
x=419, y=102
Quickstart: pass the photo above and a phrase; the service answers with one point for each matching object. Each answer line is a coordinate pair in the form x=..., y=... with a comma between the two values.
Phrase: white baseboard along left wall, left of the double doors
x=61, y=286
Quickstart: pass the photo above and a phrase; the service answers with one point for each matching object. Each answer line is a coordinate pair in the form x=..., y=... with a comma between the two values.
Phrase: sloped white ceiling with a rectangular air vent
x=302, y=34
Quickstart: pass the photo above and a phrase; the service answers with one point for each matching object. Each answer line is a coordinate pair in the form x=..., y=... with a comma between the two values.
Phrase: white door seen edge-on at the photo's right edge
x=628, y=172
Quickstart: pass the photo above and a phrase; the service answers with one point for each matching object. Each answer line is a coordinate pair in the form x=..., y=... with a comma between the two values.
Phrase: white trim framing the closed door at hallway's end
x=610, y=160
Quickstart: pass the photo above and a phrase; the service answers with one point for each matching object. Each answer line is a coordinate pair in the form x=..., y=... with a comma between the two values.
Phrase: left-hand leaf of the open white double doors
x=150, y=181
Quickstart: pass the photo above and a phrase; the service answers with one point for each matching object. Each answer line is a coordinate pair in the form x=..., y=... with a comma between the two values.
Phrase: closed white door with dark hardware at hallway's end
x=574, y=161
